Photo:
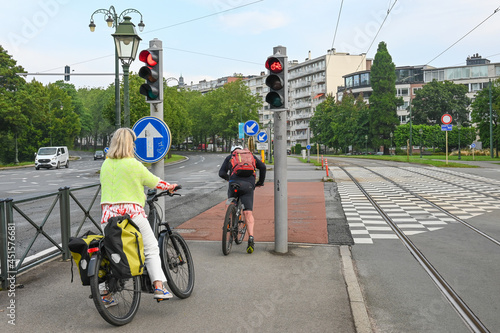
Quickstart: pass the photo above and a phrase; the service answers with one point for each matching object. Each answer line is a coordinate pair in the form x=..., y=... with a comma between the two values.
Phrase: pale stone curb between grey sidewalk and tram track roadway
x=358, y=306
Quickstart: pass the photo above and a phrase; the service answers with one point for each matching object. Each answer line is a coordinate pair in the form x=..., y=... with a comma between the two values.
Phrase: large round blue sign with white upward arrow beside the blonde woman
x=153, y=139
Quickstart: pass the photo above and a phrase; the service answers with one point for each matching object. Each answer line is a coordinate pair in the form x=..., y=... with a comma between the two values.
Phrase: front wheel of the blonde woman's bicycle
x=177, y=264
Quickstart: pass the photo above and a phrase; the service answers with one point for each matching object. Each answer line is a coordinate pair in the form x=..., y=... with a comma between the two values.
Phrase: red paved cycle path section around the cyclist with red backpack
x=306, y=216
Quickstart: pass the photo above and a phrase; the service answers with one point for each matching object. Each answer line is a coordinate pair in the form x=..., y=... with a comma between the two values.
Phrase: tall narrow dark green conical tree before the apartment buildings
x=383, y=101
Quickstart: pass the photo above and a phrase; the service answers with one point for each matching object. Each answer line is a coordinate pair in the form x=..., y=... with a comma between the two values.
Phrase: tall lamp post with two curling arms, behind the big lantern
x=113, y=19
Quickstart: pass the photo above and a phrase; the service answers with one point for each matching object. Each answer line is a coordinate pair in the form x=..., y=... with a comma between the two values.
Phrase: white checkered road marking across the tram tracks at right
x=460, y=194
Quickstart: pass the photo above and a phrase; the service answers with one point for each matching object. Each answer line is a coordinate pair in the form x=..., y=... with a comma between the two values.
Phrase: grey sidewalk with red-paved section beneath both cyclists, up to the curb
x=312, y=288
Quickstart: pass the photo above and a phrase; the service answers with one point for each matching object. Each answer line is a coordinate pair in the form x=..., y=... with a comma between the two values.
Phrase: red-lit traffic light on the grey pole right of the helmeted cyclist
x=277, y=81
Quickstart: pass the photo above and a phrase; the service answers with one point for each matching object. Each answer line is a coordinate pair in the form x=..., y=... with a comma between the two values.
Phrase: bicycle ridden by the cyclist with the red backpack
x=234, y=227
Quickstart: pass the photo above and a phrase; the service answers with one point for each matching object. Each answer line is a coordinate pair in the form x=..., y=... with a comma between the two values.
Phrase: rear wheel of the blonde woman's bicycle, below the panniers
x=125, y=293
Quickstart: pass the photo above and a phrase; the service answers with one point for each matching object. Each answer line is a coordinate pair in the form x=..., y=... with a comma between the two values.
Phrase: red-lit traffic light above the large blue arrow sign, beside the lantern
x=152, y=73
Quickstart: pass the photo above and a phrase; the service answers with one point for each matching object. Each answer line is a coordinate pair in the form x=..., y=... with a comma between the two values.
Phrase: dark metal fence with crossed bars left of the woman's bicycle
x=50, y=228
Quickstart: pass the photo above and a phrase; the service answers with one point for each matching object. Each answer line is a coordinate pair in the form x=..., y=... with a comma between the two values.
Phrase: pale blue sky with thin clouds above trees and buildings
x=209, y=39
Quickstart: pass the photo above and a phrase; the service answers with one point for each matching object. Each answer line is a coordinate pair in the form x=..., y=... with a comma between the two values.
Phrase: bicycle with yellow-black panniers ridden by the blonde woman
x=176, y=261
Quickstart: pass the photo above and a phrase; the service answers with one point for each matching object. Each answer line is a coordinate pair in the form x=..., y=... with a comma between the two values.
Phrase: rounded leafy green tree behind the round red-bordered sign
x=437, y=98
